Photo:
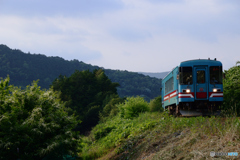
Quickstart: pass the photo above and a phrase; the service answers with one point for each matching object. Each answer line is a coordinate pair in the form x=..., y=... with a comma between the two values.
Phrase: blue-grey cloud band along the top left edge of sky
x=82, y=8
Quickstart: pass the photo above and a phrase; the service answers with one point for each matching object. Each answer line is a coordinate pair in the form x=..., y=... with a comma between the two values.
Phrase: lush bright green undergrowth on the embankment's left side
x=115, y=132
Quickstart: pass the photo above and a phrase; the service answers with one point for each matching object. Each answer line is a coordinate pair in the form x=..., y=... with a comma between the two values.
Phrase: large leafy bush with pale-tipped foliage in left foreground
x=34, y=124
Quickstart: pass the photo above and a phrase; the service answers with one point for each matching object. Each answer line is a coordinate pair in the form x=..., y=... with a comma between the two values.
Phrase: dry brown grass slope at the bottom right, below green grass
x=182, y=145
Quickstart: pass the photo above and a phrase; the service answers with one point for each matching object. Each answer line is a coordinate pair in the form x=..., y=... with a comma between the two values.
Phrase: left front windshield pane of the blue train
x=185, y=75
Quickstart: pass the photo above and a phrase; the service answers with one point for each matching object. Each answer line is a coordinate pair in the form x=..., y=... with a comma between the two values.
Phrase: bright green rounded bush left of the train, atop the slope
x=133, y=106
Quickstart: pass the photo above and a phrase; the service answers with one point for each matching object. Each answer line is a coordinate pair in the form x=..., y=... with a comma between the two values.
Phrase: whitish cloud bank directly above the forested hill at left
x=49, y=36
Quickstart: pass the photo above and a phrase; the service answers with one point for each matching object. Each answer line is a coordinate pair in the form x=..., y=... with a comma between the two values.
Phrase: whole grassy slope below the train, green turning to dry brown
x=158, y=135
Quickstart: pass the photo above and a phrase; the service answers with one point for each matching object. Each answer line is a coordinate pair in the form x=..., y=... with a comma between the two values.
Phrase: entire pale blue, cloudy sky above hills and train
x=133, y=35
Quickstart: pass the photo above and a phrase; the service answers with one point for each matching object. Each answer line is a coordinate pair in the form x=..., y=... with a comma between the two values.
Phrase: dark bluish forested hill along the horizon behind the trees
x=23, y=68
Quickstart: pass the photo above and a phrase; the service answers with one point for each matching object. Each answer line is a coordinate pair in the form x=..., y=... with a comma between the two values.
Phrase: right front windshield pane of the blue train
x=216, y=74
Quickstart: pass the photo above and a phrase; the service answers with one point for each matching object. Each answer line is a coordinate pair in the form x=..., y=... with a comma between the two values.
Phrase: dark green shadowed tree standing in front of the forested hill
x=85, y=93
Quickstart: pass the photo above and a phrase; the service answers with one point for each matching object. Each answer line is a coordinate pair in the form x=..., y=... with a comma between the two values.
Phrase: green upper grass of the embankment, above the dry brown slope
x=119, y=135
